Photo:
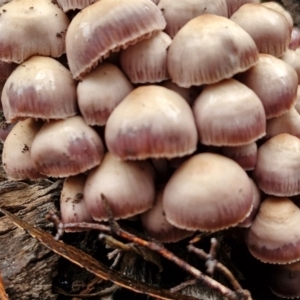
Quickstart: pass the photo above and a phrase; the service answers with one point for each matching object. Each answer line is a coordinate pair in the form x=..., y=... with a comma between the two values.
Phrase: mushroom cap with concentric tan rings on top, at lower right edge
x=274, y=236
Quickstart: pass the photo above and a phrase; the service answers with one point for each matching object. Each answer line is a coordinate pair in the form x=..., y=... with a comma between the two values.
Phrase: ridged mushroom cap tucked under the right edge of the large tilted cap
x=146, y=61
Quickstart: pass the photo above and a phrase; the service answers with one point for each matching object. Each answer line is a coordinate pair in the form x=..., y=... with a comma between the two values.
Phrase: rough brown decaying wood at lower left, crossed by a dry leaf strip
x=27, y=267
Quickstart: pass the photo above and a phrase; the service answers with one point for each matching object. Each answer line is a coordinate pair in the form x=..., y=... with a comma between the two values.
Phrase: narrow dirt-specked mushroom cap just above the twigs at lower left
x=72, y=204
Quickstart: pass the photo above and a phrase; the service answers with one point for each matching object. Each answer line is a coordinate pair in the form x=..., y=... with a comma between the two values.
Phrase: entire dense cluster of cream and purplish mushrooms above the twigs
x=182, y=112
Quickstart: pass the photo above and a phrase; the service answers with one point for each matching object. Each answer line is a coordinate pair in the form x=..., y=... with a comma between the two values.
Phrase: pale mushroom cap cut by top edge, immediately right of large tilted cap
x=178, y=13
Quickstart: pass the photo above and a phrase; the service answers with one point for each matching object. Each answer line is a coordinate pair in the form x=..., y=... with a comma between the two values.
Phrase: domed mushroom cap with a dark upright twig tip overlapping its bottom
x=128, y=187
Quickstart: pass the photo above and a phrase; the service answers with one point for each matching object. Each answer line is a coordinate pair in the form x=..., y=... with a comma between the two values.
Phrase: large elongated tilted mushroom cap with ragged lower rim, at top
x=89, y=37
